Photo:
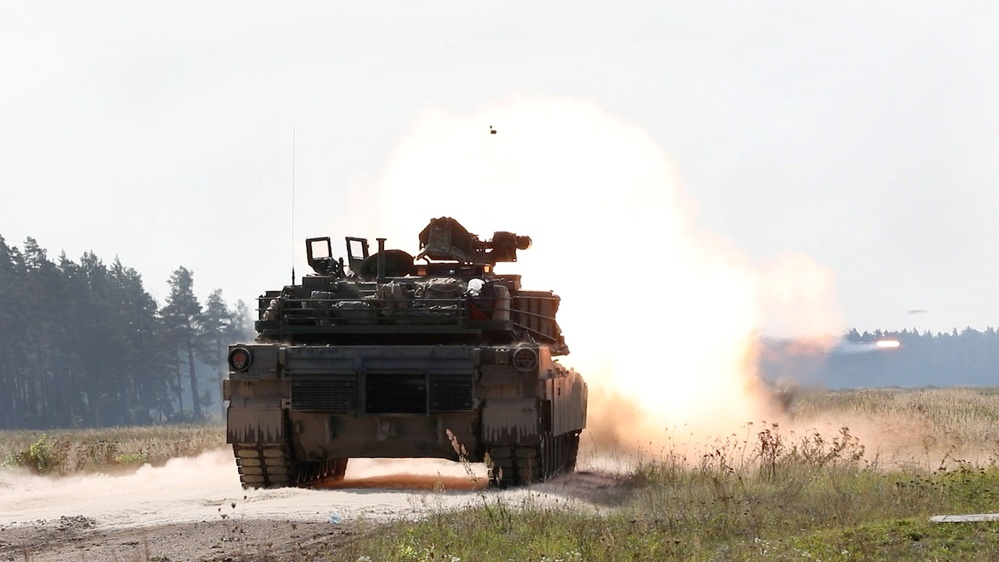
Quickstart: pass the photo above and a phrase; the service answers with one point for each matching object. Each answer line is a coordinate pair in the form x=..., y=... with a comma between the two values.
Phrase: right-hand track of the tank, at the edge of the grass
x=513, y=465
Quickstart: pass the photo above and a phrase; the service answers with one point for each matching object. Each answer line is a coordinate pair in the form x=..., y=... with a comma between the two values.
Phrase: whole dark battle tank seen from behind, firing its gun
x=388, y=355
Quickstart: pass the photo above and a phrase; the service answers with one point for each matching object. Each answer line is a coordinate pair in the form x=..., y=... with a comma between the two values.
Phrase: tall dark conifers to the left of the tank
x=83, y=344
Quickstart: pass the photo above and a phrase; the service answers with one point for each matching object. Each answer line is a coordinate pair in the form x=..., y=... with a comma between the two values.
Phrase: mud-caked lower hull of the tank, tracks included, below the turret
x=309, y=408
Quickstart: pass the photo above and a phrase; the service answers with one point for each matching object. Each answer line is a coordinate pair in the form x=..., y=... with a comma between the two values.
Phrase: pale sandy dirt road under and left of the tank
x=195, y=509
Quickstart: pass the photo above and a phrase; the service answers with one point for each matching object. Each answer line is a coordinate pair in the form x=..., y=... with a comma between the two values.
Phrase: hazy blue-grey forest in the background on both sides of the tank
x=83, y=344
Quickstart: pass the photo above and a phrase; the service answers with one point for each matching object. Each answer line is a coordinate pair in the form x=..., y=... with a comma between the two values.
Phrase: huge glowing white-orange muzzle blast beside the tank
x=662, y=317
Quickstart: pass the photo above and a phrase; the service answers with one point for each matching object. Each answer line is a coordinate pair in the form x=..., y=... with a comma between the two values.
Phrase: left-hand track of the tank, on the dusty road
x=271, y=465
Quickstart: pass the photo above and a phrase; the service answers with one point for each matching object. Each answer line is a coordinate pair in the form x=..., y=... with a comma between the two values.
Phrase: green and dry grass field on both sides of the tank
x=851, y=475
